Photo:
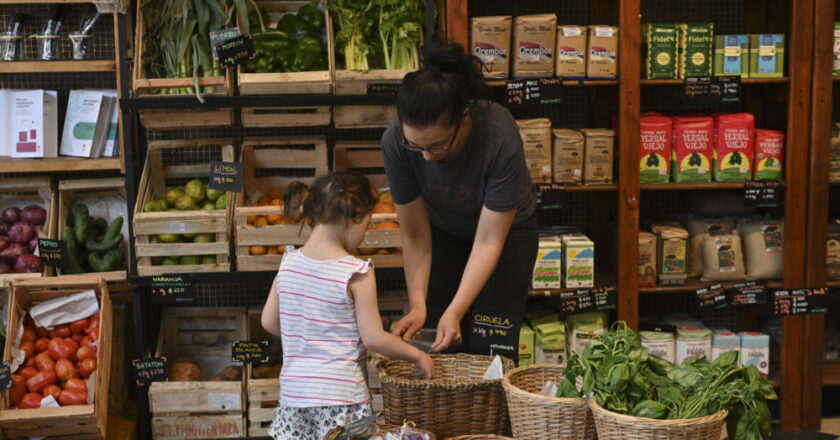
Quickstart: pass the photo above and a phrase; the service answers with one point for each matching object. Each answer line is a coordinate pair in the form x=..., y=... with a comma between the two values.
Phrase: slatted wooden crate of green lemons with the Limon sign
x=169, y=161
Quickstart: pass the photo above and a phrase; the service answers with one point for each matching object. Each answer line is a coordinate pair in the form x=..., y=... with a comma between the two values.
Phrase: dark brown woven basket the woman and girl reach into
x=458, y=401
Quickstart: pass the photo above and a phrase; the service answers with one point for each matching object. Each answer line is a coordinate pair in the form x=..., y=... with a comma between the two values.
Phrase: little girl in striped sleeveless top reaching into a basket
x=323, y=305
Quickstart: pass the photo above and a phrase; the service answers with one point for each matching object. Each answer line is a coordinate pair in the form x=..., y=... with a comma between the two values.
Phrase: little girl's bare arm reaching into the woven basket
x=363, y=288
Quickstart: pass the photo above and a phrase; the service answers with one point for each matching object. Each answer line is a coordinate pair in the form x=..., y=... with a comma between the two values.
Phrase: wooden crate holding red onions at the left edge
x=38, y=190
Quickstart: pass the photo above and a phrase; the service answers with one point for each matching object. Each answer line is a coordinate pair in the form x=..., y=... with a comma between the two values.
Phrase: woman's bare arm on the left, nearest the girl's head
x=417, y=261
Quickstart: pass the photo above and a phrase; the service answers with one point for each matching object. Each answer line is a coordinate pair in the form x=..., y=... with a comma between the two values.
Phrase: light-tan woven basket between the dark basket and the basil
x=536, y=417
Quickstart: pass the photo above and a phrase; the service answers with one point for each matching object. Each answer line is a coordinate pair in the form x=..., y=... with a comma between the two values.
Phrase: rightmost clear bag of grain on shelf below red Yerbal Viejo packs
x=763, y=242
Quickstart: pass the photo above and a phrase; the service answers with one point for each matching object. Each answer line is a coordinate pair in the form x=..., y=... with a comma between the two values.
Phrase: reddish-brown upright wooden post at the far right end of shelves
x=818, y=208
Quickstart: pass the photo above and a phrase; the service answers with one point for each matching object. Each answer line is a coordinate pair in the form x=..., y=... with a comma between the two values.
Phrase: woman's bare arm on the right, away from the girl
x=493, y=227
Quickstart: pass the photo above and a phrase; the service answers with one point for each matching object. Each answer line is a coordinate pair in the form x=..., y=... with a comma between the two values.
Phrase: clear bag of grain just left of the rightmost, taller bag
x=723, y=258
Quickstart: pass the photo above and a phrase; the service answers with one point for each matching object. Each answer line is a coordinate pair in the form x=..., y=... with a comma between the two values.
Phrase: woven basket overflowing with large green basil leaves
x=614, y=426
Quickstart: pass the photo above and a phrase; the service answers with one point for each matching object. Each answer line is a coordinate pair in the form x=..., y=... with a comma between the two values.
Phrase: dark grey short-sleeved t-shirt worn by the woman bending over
x=489, y=171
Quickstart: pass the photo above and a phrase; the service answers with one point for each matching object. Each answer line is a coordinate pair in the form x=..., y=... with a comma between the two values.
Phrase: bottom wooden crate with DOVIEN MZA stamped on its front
x=194, y=409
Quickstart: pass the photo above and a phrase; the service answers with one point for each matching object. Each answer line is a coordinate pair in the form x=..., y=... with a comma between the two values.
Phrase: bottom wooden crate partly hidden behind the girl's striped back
x=263, y=394
